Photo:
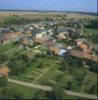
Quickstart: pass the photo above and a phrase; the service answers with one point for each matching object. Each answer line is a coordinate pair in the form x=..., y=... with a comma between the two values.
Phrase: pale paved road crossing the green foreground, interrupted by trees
x=48, y=88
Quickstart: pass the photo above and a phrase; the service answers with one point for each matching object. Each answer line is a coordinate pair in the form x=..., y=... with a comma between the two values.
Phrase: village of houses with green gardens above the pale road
x=47, y=45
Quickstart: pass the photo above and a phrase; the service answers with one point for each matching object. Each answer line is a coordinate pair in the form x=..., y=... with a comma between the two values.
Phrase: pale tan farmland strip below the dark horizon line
x=33, y=15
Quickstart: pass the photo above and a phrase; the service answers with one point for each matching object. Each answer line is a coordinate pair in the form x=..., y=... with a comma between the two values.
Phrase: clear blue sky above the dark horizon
x=58, y=5
